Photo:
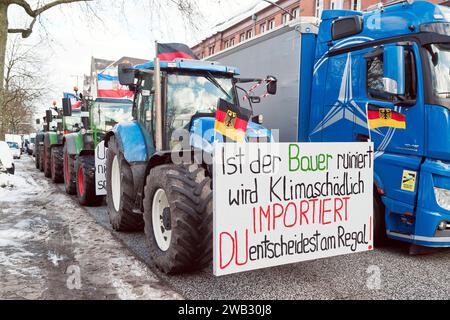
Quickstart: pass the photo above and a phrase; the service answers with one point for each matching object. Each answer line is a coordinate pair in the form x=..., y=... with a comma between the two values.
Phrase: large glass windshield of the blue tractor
x=188, y=95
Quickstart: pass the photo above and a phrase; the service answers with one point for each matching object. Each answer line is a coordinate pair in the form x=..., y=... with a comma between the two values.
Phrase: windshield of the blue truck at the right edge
x=439, y=58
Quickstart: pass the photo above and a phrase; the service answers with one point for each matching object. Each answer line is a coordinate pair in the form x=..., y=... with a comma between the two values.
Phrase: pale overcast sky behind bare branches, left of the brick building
x=74, y=37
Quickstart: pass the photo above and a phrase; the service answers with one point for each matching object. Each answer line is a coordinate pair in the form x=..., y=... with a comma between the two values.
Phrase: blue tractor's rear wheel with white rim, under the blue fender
x=120, y=191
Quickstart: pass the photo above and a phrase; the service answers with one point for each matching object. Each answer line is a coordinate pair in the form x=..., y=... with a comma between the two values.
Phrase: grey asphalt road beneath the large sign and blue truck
x=386, y=273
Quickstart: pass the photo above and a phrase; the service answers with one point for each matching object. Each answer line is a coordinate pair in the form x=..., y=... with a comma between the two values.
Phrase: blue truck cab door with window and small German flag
x=395, y=124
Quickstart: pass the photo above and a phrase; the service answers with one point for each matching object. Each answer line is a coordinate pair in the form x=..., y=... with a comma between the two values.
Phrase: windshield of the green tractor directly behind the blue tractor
x=107, y=115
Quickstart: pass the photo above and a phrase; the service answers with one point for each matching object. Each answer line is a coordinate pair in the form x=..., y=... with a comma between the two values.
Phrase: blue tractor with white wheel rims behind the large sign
x=158, y=174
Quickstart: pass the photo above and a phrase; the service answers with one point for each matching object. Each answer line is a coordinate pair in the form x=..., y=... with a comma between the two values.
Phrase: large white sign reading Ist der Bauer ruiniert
x=283, y=203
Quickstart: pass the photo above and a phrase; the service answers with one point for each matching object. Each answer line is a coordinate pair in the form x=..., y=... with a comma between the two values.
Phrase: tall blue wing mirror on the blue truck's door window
x=394, y=69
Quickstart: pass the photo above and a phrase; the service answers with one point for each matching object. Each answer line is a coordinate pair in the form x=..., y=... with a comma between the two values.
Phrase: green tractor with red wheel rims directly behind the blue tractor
x=84, y=153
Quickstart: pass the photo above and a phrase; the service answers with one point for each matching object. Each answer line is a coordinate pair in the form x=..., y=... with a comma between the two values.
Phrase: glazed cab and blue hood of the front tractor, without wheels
x=190, y=92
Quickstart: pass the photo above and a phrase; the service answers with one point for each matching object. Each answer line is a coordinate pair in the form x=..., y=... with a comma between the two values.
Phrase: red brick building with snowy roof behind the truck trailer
x=264, y=17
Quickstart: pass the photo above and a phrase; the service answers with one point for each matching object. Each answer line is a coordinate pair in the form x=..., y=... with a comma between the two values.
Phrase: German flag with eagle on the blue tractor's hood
x=231, y=121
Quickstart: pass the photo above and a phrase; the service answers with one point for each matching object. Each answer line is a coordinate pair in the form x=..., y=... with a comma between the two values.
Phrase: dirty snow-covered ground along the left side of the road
x=51, y=248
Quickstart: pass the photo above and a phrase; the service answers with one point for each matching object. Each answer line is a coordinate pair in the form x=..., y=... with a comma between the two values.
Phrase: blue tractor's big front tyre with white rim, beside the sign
x=178, y=218
